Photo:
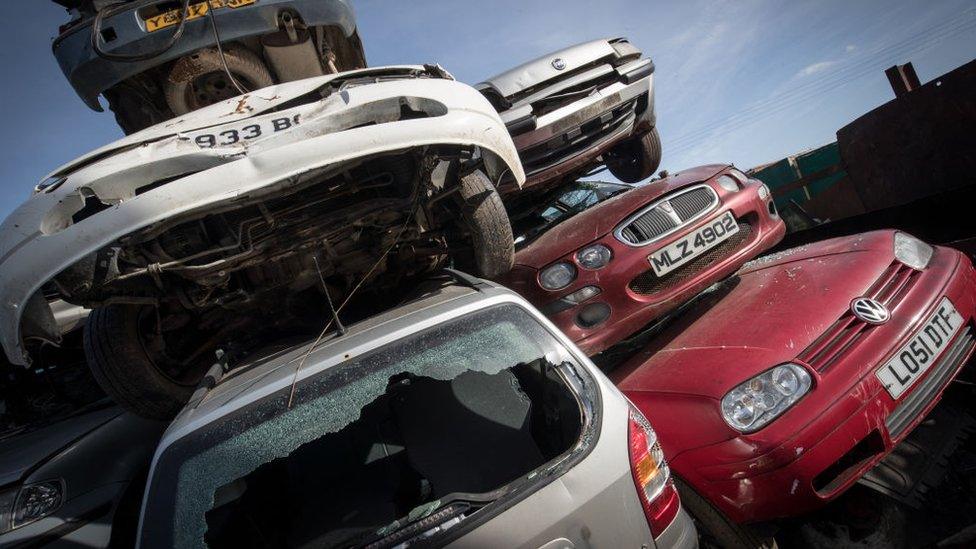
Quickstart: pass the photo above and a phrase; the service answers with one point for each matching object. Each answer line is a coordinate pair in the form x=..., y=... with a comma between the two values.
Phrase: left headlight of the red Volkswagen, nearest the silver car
x=755, y=403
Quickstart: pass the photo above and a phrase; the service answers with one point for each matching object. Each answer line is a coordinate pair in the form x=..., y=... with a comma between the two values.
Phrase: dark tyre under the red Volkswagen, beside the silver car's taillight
x=714, y=528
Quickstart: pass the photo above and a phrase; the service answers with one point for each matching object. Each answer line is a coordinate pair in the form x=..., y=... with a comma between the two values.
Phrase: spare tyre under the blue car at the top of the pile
x=247, y=68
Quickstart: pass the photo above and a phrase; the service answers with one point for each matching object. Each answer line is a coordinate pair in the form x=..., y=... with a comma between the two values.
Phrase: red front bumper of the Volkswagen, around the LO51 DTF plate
x=847, y=423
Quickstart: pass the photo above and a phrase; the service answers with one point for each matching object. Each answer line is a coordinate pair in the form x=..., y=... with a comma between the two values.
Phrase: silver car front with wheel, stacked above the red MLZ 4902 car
x=574, y=109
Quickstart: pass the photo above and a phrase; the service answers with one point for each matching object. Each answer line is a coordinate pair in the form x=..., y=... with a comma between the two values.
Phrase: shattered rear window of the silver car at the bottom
x=201, y=478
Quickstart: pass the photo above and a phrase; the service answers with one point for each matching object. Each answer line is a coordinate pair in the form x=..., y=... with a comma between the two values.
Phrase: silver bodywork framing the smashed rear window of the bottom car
x=592, y=504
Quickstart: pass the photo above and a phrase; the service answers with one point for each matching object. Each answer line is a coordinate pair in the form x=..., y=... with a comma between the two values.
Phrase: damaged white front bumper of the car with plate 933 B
x=38, y=240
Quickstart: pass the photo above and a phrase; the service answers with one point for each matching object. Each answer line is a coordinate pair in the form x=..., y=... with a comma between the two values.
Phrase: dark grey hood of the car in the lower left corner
x=21, y=453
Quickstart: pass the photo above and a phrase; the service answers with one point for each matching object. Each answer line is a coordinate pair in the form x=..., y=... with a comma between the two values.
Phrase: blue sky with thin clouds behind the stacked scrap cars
x=744, y=81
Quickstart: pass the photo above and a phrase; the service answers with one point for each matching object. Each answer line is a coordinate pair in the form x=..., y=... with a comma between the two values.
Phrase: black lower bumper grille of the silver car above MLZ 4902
x=575, y=140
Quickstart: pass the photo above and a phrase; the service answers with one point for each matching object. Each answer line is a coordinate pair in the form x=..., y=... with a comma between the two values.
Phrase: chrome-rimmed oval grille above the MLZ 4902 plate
x=655, y=221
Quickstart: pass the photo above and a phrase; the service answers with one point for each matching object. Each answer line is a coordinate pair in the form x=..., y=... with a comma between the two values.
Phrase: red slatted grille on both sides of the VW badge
x=842, y=336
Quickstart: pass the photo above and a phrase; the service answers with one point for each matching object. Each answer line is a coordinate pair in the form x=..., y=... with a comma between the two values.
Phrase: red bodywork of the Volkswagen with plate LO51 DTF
x=772, y=312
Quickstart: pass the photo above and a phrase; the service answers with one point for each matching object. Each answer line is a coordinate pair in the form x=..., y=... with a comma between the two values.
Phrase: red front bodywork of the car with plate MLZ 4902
x=632, y=311
